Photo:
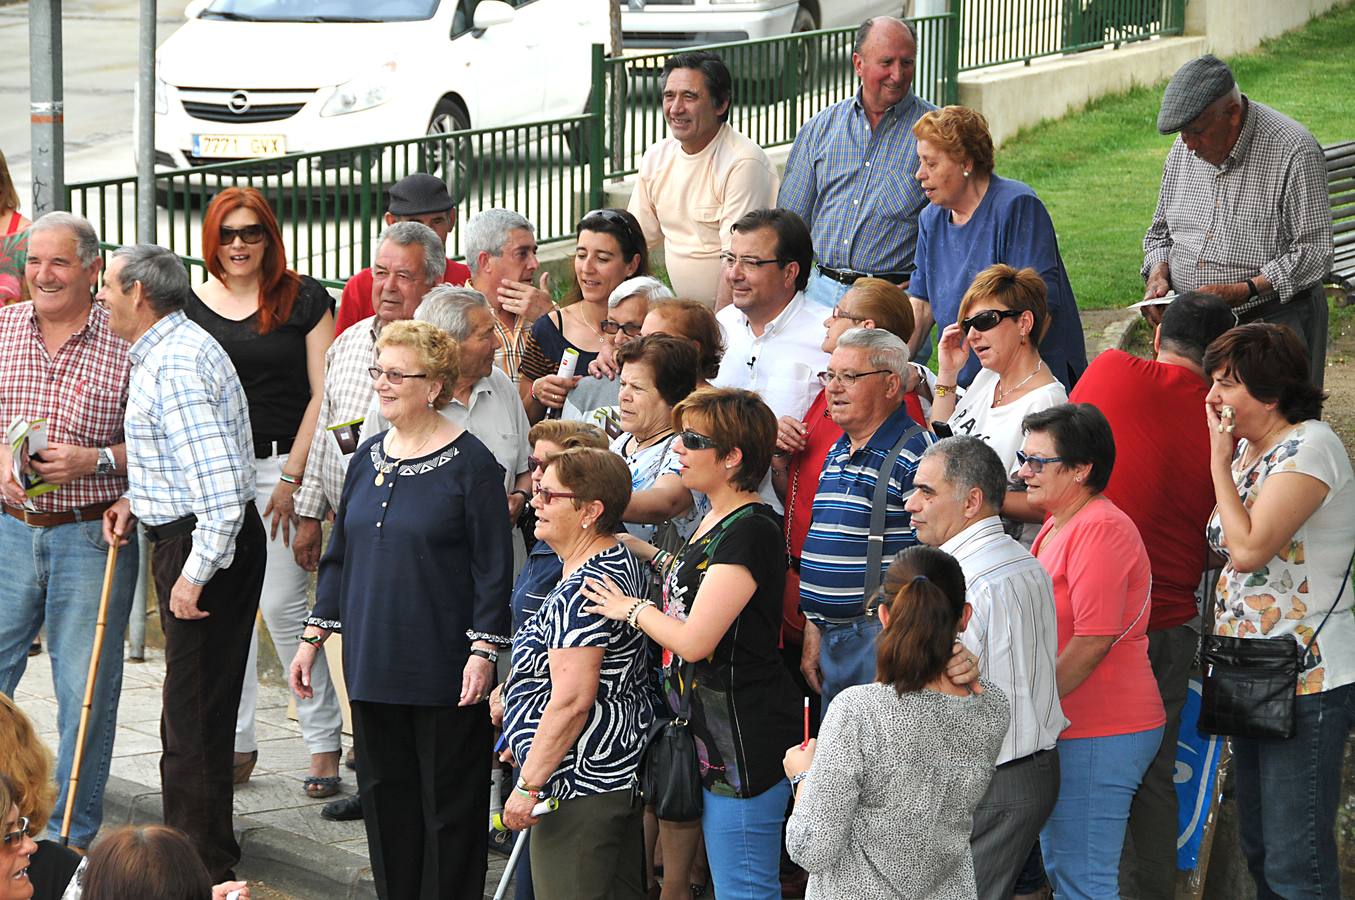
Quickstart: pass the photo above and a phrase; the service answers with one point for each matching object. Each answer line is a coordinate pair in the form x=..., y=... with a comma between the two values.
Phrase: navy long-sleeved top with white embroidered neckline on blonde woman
x=417, y=569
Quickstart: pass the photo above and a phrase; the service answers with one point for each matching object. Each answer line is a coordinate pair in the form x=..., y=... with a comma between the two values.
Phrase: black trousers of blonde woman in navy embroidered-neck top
x=423, y=775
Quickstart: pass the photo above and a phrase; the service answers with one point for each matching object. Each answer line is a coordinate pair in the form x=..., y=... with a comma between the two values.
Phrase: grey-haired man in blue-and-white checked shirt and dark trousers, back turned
x=190, y=480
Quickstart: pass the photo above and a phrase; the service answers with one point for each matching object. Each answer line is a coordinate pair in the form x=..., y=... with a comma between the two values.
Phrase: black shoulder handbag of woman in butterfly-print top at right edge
x=1250, y=685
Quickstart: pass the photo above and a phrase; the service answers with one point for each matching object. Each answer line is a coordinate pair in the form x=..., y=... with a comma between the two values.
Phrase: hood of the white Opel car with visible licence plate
x=209, y=54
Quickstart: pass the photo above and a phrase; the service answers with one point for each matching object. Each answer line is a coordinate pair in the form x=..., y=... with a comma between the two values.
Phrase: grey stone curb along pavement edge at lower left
x=287, y=861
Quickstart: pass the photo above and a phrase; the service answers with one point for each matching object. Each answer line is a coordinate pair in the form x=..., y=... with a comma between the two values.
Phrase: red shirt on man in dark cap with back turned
x=1162, y=480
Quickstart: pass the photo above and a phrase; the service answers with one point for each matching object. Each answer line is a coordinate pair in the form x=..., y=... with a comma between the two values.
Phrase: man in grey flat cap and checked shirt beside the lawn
x=1243, y=211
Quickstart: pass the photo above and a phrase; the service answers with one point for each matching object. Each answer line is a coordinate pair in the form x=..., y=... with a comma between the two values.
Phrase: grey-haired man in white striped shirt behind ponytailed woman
x=957, y=493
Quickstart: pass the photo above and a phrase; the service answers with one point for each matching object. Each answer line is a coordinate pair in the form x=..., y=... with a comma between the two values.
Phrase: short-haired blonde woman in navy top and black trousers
x=417, y=574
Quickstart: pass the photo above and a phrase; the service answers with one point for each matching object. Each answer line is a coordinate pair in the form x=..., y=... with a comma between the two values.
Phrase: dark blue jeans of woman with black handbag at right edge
x=1288, y=792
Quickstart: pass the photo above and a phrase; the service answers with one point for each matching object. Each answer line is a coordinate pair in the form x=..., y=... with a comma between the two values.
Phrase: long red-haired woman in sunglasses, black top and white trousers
x=276, y=326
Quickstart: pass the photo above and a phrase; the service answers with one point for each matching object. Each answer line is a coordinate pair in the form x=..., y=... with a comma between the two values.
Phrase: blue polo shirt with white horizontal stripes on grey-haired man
x=833, y=565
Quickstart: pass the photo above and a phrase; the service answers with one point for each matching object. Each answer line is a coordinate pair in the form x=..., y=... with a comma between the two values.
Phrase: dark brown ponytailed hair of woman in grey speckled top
x=927, y=588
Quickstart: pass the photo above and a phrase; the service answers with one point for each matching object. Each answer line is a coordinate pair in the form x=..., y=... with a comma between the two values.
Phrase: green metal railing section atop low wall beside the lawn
x=1002, y=32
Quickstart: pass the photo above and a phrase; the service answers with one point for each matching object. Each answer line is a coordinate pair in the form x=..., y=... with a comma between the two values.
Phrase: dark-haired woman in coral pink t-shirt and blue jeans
x=1106, y=687
